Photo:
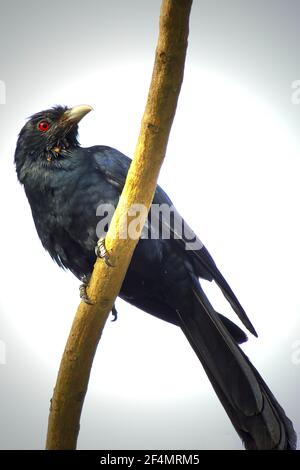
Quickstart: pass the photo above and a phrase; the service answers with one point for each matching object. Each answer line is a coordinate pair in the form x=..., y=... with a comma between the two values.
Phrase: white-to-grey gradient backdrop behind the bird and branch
x=147, y=388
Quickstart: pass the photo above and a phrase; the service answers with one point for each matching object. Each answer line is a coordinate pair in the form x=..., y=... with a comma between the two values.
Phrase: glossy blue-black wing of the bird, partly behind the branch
x=114, y=166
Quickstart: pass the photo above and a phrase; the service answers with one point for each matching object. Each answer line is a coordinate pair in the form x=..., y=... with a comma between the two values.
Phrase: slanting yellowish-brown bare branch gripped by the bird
x=105, y=284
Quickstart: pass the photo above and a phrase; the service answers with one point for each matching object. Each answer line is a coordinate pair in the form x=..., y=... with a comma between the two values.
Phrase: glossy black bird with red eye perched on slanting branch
x=65, y=184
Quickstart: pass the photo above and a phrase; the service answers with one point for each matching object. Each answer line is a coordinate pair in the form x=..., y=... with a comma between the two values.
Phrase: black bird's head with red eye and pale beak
x=47, y=136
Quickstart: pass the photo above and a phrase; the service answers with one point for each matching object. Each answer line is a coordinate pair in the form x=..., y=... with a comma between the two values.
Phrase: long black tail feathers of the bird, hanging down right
x=252, y=408
